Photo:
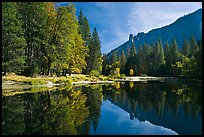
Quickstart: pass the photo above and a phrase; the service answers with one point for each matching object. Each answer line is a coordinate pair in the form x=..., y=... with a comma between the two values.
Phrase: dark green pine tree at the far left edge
x=13, y=42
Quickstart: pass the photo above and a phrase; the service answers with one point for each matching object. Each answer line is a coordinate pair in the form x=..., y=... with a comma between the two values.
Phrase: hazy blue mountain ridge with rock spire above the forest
x=182, y=28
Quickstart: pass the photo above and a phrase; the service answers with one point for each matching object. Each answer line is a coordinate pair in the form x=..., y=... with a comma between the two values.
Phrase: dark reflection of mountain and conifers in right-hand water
x=161, y=104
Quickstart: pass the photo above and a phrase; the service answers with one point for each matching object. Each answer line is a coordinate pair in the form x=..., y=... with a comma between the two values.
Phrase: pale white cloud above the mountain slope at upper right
x=147, y=16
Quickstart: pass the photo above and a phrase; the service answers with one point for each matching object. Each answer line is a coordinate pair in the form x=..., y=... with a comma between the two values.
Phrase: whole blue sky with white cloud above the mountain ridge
x=114, y=21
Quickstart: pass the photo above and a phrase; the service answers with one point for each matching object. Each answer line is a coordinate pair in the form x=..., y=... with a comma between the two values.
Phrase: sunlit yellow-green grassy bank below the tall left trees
x=22, y=81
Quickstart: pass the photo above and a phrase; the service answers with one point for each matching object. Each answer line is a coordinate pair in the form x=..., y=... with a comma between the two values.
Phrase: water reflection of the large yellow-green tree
x=67, y=112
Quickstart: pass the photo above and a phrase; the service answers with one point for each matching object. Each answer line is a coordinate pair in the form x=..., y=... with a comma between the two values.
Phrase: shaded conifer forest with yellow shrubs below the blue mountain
x=155, y=60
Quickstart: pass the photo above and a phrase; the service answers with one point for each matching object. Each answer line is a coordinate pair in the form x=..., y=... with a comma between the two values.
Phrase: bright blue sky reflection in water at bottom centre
x=115, y=120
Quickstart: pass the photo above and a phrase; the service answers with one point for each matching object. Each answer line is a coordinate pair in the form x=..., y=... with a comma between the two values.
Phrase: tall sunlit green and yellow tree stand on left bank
x=41, y=38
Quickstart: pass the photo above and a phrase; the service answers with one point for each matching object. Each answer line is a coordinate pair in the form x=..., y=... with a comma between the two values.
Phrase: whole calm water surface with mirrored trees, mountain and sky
x=123, y=108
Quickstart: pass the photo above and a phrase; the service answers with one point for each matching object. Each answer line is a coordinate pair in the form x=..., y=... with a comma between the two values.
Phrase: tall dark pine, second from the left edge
x=34, y=18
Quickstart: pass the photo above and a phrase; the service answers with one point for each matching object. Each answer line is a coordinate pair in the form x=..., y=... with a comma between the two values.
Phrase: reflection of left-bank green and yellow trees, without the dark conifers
x=45, y=113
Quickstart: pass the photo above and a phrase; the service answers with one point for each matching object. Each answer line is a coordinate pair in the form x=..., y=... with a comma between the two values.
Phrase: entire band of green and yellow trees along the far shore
x=41, y=38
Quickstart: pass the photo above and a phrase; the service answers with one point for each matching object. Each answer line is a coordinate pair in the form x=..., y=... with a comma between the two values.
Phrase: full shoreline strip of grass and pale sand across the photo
x=13, y=81
